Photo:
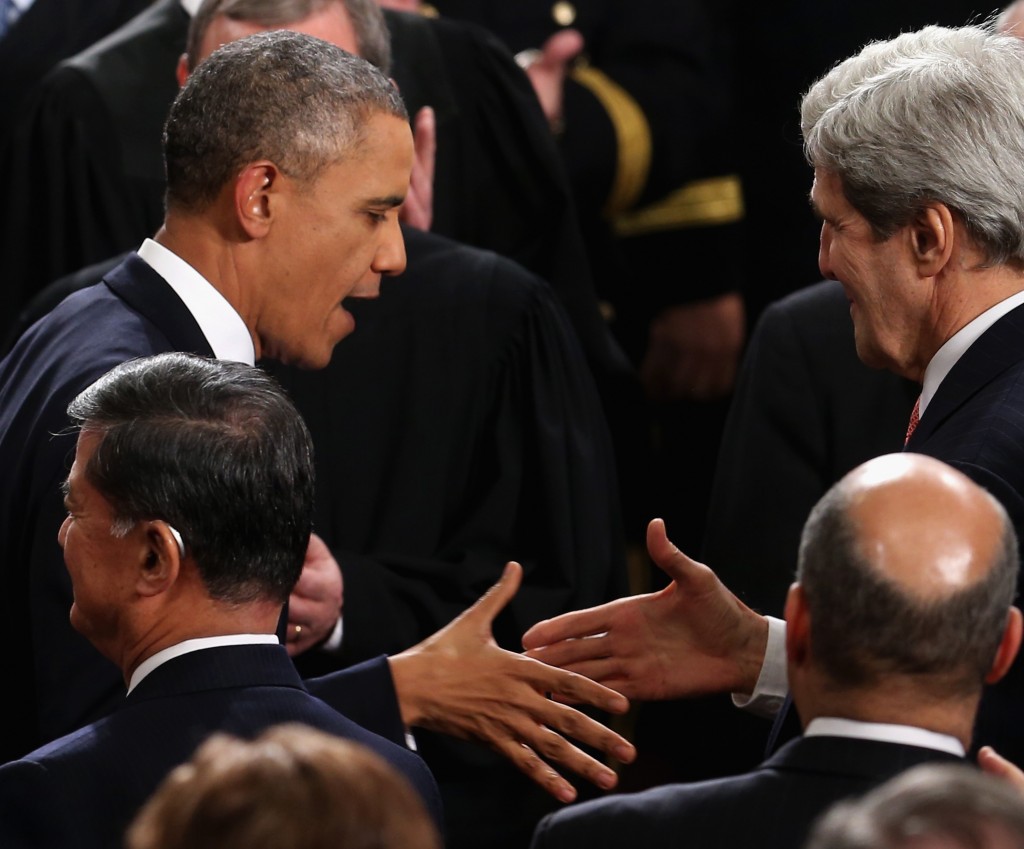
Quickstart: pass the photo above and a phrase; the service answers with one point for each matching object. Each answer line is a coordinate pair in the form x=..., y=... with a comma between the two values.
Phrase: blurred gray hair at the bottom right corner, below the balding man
x=954, y=804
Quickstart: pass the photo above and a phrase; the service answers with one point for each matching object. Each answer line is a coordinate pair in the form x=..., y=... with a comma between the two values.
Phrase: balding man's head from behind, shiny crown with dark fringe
x=908, y=569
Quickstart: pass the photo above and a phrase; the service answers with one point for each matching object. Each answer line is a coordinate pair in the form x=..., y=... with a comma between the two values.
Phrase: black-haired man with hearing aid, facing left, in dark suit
x=190, y=506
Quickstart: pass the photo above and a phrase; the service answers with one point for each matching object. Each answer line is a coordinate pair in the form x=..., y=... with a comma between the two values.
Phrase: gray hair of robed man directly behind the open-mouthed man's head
x=372, y=35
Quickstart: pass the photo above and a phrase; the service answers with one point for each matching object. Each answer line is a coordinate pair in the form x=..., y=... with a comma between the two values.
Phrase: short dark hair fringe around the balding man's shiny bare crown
x=866, y=628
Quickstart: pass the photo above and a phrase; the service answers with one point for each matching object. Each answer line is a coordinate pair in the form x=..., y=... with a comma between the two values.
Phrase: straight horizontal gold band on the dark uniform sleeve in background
x=698, y=204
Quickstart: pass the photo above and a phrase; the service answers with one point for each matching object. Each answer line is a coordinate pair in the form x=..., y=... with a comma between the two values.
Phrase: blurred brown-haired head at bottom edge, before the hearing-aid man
x=292, y=787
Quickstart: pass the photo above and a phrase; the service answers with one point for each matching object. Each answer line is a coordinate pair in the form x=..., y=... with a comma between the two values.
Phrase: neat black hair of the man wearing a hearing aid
x=217, y=450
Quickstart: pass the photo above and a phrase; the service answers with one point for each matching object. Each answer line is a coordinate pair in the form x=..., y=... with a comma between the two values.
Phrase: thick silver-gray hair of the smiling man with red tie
x=931, y=116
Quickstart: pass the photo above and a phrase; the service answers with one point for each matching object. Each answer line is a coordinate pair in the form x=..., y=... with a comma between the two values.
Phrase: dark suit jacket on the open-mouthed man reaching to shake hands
x=63, y=682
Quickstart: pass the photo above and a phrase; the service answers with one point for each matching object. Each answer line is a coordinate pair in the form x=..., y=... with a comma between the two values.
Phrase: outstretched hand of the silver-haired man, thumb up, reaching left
x=692, y=639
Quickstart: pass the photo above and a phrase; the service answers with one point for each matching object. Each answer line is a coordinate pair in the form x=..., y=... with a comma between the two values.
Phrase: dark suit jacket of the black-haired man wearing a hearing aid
x=83, y=790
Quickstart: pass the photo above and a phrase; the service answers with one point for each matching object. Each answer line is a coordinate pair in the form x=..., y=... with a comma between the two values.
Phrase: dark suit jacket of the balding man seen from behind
x=773, y=808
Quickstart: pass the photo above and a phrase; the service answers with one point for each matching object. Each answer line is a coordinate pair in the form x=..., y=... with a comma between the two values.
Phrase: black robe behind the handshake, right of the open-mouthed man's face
x=456, y=430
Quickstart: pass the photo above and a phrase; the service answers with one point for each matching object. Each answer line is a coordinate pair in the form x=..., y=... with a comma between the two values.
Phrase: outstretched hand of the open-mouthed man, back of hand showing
x=460, y=683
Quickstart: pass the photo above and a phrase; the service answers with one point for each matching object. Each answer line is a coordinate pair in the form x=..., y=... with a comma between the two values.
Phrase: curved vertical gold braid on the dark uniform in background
x=632, y=137
